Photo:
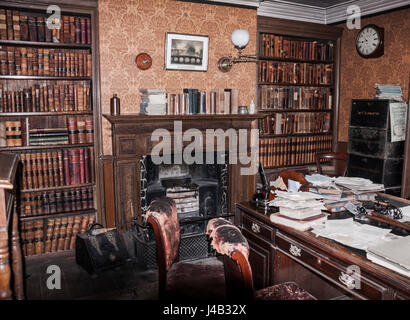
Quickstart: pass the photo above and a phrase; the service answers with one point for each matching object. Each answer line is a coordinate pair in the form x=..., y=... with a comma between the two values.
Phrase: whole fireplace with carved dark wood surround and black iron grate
x=202, y=191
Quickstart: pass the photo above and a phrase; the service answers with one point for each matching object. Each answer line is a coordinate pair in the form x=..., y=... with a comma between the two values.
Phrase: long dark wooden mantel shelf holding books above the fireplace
x=132, y=118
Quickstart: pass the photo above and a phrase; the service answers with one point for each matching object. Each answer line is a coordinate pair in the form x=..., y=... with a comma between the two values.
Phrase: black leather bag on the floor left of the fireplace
x=99, y=249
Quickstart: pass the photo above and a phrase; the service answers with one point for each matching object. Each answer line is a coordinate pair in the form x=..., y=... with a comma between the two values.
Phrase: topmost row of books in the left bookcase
x=20, y=26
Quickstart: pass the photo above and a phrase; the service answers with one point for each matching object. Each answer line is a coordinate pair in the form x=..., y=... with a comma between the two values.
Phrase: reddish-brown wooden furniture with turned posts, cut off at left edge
x=11, y=266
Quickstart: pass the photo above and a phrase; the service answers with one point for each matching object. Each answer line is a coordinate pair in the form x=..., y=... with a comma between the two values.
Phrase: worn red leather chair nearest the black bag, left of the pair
x=181, y=281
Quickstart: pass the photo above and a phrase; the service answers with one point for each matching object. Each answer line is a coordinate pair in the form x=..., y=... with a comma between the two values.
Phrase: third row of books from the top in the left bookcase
x=46, y=97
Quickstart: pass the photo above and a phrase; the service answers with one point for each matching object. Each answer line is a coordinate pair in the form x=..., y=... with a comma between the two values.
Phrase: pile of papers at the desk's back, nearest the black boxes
x=337, y=192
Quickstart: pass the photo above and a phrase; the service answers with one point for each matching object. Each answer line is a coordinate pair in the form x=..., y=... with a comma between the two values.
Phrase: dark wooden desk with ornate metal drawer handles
x=319, y=265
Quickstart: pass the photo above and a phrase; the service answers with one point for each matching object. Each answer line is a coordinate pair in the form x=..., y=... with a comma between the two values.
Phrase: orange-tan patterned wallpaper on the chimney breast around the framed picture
x=129, y=27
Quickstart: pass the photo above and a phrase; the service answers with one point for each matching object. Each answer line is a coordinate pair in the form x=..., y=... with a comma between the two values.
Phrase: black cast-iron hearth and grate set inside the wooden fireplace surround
x=200, y=193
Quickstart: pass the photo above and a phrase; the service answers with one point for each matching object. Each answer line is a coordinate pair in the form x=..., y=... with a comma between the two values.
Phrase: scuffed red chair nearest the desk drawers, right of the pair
x=228, y=240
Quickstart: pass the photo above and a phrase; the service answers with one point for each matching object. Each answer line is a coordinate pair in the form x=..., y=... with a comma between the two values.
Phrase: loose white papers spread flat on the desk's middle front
x=351, y=233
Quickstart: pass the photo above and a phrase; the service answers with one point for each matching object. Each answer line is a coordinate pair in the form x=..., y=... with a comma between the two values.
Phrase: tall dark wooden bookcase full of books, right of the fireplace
x=298, y=91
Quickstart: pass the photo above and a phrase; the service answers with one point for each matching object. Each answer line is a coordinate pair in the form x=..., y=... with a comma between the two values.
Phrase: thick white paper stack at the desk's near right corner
x=394, y=255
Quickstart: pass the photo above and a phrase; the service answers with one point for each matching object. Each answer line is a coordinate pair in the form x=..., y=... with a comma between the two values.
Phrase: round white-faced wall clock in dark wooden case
x=370, y=41
